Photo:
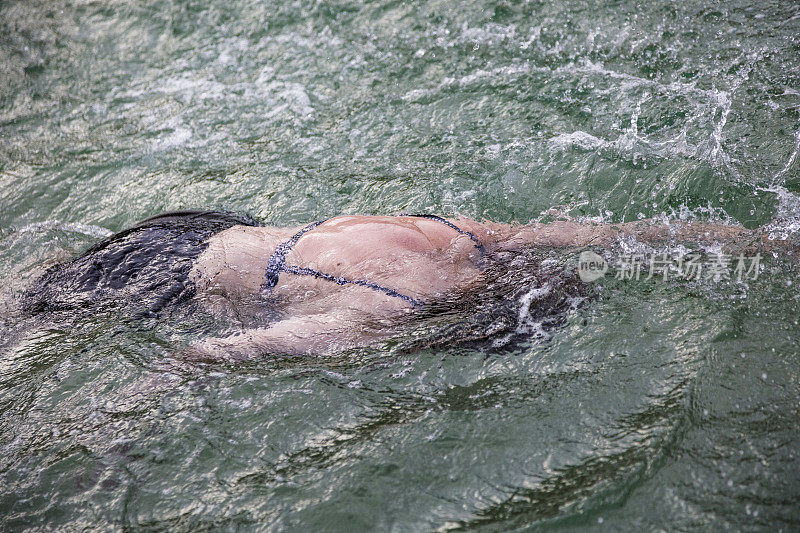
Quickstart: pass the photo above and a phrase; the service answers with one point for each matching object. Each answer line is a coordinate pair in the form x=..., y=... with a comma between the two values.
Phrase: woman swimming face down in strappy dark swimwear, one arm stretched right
x=331, y=284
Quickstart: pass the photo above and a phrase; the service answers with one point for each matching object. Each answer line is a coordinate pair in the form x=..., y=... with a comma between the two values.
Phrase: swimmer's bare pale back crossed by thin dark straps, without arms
x=418, y=257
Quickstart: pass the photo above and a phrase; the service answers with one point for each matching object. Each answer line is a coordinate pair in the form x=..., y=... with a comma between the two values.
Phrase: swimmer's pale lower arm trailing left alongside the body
x=310, y=335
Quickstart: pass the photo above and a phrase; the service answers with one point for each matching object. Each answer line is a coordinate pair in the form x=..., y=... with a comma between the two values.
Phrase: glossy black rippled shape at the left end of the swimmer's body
x=145, y=266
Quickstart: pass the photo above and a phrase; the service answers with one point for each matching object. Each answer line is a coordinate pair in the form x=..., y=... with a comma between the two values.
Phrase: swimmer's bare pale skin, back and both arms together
x=418, y=257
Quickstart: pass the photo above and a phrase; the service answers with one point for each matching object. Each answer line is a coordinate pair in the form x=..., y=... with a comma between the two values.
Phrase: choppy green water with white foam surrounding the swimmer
x=654, y=406
